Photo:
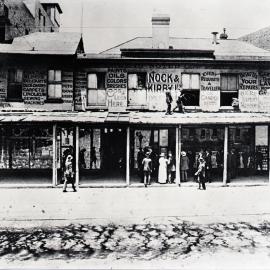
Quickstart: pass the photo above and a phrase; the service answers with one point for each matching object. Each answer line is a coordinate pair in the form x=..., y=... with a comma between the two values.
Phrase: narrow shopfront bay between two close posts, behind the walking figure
x=65, y=146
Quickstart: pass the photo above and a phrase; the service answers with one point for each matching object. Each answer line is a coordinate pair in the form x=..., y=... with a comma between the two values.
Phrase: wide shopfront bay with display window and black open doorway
x=102, y=156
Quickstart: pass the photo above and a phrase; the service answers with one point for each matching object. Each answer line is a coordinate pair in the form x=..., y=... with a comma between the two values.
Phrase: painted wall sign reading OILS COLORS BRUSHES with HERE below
x=116, y=92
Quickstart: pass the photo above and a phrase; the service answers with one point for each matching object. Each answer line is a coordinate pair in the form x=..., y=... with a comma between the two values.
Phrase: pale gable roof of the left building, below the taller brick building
x=57, y=43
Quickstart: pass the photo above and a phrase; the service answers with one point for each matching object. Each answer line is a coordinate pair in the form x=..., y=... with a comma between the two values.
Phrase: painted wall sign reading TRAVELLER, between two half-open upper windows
x=210, y=91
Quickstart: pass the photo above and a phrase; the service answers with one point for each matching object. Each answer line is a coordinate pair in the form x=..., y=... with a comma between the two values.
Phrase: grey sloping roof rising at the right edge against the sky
x=260, y=38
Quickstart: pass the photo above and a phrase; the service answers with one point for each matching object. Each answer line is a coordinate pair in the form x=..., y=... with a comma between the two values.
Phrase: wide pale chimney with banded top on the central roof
x=160, y=31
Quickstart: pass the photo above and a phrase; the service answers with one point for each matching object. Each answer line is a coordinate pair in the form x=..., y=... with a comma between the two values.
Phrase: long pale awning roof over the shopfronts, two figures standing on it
x=136, y=118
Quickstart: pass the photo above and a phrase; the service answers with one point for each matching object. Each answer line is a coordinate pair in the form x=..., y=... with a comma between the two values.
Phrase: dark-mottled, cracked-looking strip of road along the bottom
x=141, y=242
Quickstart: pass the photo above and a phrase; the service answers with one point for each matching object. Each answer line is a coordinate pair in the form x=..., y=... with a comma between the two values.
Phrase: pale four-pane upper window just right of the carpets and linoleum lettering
x=54, y=84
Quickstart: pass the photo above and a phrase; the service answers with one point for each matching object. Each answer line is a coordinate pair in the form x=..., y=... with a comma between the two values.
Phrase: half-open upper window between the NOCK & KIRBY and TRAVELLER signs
x=191, y=89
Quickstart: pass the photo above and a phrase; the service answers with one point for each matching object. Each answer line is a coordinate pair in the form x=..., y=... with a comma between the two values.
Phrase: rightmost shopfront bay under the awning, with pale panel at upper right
x=248, y=154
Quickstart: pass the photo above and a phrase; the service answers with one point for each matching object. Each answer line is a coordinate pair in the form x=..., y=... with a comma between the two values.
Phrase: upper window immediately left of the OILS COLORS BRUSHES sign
x=95, y=83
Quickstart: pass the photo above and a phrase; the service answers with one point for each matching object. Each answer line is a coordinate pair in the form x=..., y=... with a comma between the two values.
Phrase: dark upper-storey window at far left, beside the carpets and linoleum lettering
x=14, y=91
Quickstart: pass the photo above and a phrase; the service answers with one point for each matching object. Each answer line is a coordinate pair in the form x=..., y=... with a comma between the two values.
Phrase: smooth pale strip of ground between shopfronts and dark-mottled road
x=50, y=206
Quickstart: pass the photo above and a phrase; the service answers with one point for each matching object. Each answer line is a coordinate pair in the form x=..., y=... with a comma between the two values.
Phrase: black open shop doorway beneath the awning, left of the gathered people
x=114, y=150
